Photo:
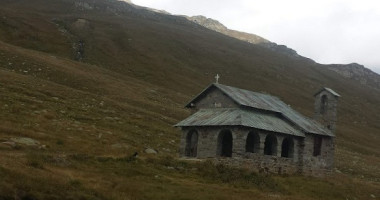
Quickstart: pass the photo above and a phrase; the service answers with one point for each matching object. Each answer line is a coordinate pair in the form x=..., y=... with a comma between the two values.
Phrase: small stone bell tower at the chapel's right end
x=325, y=106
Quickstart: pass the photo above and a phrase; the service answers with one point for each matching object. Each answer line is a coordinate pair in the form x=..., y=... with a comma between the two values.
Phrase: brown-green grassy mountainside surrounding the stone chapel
x=139, y=69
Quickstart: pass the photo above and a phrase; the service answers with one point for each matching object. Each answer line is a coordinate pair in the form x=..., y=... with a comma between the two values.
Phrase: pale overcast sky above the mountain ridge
x=327, y=31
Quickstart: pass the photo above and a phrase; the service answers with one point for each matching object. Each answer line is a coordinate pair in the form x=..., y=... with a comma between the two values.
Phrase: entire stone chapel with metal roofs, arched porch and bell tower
x=258, y=131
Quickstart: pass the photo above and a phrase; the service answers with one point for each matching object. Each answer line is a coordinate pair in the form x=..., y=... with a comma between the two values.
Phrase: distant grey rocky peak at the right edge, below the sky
x=358, y=73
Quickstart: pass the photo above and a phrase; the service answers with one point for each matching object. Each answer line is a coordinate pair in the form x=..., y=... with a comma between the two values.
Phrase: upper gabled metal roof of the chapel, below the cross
x=270, y=103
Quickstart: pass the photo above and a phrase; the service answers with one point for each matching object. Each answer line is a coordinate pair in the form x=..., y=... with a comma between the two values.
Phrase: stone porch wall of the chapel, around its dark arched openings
x=208, y=143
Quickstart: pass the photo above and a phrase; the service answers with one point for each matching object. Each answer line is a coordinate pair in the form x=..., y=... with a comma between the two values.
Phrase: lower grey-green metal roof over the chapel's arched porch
x=239, y=117
